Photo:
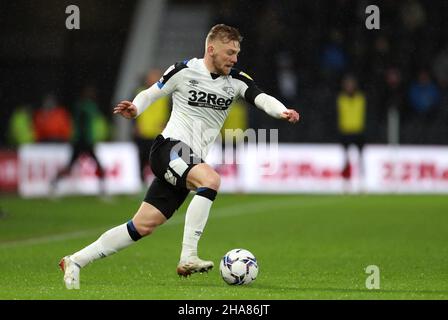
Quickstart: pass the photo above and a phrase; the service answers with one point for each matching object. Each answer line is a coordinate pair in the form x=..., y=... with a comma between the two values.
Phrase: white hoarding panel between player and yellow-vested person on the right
x=291, y=168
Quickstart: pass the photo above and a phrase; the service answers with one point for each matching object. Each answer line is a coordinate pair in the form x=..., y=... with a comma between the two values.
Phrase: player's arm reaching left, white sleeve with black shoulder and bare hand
x=166, y=85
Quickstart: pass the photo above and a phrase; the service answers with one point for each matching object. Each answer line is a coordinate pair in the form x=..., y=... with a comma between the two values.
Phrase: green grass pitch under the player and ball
x=308, y=247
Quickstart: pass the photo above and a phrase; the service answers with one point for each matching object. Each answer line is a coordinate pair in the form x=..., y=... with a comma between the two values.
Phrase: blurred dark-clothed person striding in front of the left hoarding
x=85, y=115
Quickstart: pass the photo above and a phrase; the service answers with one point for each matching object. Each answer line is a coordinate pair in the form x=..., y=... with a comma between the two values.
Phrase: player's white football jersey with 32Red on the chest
x=201, y=102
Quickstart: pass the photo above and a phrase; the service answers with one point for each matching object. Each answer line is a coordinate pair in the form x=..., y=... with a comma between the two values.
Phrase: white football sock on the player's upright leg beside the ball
x=195, y=220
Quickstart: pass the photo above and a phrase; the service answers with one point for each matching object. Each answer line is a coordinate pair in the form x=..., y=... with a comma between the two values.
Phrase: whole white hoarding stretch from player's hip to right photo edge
x=317, y=168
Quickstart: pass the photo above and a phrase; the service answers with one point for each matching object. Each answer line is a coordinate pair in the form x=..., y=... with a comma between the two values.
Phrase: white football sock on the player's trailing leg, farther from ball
x=108, y=243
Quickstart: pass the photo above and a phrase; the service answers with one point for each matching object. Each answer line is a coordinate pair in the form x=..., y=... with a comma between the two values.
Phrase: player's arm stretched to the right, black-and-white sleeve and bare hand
x=263, y=101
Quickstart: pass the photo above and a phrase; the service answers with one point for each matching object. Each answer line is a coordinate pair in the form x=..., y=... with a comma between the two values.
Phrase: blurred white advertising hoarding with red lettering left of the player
x=39, y=164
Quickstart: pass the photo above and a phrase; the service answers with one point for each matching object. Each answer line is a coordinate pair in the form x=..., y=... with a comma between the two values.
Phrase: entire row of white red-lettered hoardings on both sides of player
x=283, y=168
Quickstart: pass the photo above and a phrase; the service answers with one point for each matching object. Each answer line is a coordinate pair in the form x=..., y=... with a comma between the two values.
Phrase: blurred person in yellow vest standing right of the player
x=351, y=110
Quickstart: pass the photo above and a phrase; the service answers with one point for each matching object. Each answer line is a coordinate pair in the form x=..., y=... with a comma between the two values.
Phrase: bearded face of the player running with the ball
x=225, y=56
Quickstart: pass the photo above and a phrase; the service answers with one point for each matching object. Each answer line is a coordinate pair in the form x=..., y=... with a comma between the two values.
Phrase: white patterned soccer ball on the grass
x=238, y=266
